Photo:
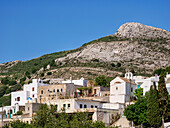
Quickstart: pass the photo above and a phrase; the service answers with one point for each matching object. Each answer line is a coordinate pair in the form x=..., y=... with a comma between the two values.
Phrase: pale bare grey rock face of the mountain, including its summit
x=146, y=48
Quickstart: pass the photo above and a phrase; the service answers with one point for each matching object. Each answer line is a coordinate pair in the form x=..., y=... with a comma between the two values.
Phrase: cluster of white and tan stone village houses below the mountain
x=103, y=103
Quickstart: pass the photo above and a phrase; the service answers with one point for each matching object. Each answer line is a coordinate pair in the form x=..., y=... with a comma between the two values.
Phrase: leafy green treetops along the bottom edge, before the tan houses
x=48, y=117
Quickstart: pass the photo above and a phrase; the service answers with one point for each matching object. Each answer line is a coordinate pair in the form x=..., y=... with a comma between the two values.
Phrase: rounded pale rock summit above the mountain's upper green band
x=138, y=30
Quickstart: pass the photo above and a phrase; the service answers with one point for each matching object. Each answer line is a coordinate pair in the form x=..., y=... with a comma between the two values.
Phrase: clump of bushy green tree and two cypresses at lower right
x=149, y=110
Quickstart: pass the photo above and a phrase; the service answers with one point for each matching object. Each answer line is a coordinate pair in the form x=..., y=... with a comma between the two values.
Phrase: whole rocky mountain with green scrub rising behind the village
x=134, y=46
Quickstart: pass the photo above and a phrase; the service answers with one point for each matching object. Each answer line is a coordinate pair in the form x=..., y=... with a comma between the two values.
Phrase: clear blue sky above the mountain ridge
x=31, y=28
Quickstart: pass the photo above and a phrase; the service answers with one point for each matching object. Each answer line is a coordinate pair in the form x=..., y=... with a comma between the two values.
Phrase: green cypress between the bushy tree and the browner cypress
x=153, y=110
